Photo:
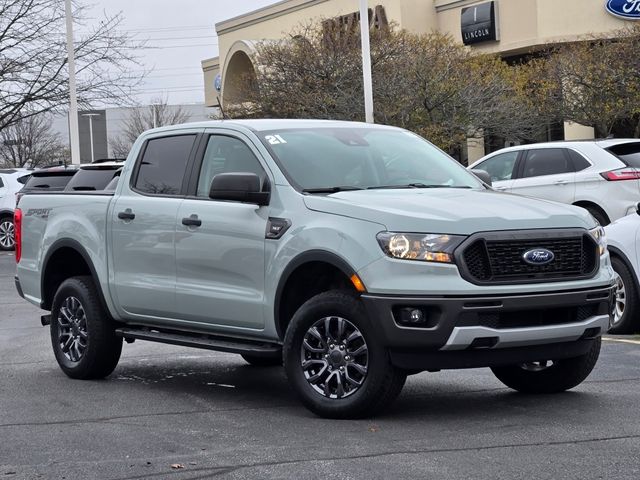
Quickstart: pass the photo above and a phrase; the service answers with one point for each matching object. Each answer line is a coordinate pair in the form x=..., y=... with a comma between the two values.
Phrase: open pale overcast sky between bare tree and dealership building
x=183, y=32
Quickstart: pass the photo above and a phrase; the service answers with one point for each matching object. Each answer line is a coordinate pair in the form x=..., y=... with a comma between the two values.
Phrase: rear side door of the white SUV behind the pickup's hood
x=546, y=173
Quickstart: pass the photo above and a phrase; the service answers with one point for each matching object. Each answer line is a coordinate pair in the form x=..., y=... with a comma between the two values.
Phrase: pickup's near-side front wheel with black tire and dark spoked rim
x=334, y=361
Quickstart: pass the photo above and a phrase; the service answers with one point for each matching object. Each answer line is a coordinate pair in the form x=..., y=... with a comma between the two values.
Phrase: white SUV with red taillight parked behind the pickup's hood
x=602, y=176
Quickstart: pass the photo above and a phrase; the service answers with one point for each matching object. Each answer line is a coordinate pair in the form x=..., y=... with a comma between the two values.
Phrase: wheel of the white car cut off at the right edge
x=625, y=312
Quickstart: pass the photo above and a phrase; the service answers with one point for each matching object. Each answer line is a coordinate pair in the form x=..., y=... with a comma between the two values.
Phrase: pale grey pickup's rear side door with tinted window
x=143, y=219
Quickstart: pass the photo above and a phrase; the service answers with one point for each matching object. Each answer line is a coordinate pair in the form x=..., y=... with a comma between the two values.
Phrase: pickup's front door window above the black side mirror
x=225, y=155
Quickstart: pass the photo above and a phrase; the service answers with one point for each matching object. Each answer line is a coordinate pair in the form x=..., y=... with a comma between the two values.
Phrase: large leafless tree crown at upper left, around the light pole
x=33, y=60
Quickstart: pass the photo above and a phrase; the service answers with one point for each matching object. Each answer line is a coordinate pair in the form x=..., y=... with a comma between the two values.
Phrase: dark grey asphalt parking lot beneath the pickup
x=171, y=412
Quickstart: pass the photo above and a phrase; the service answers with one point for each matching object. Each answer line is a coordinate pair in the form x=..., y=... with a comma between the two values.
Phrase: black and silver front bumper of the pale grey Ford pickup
x=491, y=323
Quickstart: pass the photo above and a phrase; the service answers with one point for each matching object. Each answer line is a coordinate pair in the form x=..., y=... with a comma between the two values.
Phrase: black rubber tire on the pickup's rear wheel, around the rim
x=102, y=351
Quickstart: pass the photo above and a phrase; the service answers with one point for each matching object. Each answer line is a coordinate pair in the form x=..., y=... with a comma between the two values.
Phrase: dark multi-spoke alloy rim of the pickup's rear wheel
x=72, y=329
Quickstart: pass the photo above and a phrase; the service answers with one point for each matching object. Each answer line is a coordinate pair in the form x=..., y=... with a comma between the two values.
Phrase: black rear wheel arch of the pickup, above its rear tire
x=66, y=258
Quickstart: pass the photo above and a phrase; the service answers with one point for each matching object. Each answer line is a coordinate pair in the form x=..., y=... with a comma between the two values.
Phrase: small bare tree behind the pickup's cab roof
x=142, y=118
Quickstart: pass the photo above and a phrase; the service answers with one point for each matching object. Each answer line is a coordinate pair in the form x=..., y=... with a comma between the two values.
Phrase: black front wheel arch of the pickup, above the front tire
x=288, y=298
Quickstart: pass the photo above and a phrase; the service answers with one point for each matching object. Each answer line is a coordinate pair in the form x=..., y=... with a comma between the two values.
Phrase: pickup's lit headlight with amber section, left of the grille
x=425, y=247
